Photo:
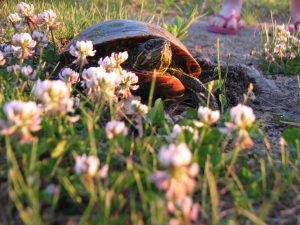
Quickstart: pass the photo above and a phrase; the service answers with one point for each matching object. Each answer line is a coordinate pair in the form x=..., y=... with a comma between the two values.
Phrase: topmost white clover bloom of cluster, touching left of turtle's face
x=113, y=62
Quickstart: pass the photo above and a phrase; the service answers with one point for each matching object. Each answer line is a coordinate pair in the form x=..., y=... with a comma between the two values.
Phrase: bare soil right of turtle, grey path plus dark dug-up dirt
x=274, y=96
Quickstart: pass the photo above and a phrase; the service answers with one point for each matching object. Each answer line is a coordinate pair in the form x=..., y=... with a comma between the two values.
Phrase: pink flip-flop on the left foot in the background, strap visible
x=225, y=29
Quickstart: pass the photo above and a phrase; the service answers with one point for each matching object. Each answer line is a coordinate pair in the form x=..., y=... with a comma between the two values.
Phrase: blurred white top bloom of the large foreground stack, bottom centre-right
x=174, y=155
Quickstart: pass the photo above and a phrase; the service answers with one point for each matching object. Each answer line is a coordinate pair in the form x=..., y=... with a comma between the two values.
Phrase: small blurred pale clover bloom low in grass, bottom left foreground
x=87, y=165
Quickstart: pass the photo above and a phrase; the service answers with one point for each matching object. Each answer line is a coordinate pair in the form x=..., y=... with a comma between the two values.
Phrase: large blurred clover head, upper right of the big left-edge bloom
x=55, y=96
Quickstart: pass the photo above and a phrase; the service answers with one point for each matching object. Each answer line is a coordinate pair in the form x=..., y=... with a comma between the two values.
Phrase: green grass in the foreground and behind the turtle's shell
x=233, y=186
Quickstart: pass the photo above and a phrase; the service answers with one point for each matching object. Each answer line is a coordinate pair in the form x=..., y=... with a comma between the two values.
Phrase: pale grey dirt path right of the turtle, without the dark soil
x=275, y=96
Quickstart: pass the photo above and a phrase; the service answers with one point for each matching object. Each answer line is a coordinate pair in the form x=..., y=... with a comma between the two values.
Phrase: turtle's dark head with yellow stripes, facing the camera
x=153, y=54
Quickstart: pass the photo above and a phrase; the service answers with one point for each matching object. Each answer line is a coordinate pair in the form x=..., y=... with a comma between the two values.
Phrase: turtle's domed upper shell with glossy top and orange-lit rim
x=123, y=35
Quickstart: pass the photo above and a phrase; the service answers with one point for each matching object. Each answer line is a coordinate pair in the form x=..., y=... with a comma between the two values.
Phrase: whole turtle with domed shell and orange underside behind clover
x=152, y=51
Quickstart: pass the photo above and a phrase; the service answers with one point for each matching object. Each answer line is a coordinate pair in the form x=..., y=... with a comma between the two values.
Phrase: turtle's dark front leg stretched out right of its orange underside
x=195, y=88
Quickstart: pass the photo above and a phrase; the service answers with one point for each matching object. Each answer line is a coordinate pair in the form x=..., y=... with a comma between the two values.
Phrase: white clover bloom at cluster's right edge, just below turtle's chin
x=128, y=82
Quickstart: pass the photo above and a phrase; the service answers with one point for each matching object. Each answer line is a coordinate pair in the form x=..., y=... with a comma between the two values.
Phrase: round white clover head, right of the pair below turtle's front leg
x=242, y=115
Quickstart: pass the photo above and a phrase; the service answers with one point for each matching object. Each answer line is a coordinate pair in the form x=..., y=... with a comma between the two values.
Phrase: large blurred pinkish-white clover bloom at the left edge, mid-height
x=23, y=118
